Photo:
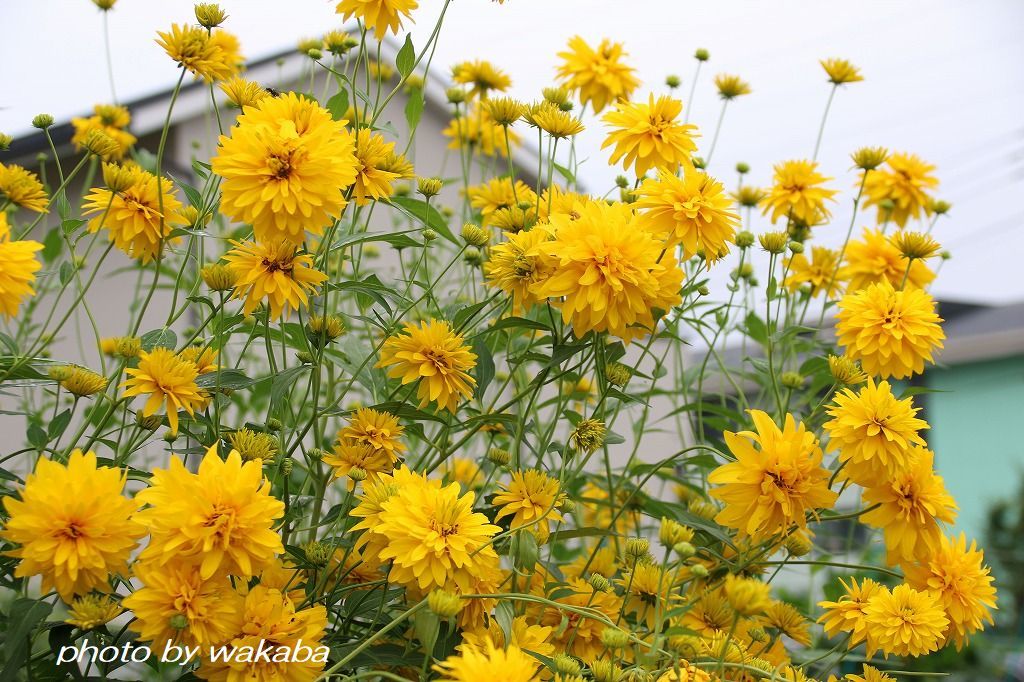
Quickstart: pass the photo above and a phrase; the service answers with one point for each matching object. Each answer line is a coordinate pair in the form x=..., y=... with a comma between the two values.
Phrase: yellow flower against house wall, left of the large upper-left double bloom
x=139, y=220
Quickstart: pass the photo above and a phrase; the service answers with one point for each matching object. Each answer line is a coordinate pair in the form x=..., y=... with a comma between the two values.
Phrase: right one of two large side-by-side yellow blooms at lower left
x=220, y=519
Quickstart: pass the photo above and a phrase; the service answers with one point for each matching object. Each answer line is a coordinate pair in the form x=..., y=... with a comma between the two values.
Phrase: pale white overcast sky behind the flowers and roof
x=944, y=79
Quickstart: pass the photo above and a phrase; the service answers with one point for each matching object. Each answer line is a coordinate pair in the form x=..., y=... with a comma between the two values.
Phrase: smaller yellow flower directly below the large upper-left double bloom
x=276, y=273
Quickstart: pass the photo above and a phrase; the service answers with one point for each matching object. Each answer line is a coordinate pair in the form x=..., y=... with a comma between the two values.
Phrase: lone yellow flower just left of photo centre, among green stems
x=438, y=358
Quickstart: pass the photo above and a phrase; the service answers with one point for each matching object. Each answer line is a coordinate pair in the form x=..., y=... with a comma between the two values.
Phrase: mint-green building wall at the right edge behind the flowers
x=977, y=435
